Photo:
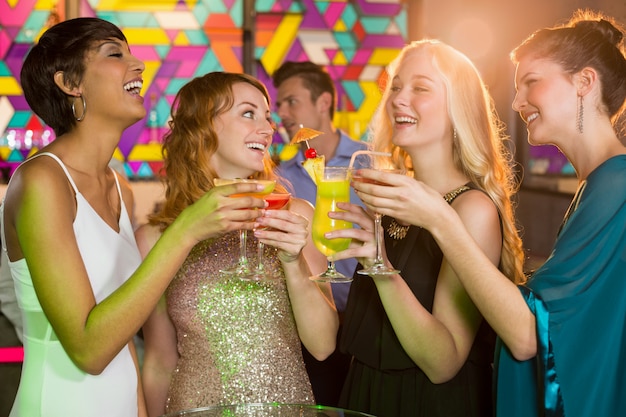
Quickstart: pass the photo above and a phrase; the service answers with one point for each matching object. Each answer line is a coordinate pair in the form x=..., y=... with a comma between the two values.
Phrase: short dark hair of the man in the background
x=314, y=77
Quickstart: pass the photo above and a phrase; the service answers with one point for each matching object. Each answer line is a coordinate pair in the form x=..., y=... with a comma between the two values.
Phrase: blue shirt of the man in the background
x=302, y=186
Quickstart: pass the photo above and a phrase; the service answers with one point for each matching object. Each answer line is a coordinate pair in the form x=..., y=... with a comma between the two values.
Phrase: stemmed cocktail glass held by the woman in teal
x=377, y=161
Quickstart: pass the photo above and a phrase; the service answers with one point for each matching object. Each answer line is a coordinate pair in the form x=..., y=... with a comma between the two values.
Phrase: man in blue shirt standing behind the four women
x=306, y=97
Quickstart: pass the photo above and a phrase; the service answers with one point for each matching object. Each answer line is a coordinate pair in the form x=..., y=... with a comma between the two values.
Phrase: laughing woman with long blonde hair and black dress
x=420, y=346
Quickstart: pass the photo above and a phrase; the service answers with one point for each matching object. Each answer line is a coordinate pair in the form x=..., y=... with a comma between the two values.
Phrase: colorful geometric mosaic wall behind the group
x=179, y=40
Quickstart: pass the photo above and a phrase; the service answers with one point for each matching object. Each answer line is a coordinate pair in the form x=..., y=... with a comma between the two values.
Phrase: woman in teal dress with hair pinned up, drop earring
x=562, y=335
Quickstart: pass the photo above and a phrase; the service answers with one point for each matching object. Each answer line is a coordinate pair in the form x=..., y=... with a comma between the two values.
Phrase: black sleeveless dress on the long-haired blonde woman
x=383, y=380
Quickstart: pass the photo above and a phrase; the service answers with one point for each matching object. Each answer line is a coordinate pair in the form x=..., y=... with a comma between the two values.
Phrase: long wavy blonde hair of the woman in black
x=479, y=147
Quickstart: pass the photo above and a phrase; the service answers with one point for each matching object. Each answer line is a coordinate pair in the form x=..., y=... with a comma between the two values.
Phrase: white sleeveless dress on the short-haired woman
x=51, y=384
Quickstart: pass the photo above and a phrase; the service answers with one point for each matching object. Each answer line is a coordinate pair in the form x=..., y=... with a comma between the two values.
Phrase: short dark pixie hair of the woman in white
x=63, y=47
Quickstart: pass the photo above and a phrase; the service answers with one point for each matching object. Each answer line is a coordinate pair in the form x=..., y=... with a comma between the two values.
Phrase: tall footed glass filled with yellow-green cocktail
x=332, y=188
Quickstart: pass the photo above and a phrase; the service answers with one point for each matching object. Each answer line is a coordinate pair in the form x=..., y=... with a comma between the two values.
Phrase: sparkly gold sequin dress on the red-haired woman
x=237, y=340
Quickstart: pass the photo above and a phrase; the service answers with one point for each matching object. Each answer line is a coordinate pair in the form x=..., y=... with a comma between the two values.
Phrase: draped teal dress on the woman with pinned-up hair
x=579, y=299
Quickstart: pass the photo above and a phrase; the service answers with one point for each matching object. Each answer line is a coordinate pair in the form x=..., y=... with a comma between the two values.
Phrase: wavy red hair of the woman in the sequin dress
x=192, y=140
